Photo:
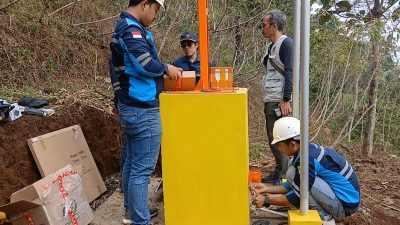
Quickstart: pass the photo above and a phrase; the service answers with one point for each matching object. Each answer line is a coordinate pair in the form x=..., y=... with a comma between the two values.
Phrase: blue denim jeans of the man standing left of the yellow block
x=142, y=130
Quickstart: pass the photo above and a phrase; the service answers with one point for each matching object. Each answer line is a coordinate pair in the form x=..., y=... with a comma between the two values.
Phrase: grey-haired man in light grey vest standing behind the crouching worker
x=276, y=84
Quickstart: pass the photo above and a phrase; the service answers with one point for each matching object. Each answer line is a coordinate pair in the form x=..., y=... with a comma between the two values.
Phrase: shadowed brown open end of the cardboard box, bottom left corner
x=25, y=212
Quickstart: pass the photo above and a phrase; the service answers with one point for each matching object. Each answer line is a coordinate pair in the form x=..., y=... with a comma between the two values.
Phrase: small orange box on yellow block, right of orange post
x=221, y=77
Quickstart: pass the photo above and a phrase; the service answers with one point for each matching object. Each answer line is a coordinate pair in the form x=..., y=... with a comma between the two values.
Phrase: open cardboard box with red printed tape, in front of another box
x=57, y=199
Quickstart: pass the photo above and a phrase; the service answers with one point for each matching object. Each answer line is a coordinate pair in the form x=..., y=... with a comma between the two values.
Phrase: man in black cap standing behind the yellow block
x=191, y=60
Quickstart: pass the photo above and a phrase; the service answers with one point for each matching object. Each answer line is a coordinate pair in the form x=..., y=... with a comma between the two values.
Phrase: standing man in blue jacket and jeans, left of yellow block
x=140, y=81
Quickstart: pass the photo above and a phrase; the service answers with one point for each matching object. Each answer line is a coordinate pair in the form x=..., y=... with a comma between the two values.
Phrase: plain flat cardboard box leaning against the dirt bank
x=54, y=150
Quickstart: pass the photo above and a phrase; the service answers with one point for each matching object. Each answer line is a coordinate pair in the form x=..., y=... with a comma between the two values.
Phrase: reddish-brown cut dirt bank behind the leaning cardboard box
x=17, y=166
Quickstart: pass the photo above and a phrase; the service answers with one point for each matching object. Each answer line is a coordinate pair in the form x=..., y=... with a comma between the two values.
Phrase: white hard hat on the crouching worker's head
x=285, y=128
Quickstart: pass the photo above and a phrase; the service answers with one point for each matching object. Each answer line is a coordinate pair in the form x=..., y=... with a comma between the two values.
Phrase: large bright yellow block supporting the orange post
x=205, y=158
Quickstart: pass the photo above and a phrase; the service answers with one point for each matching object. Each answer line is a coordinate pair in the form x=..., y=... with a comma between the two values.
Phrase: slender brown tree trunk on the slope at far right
x=373, y=98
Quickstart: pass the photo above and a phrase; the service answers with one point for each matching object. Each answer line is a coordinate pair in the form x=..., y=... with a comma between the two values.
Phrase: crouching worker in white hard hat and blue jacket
x=333, y=184
